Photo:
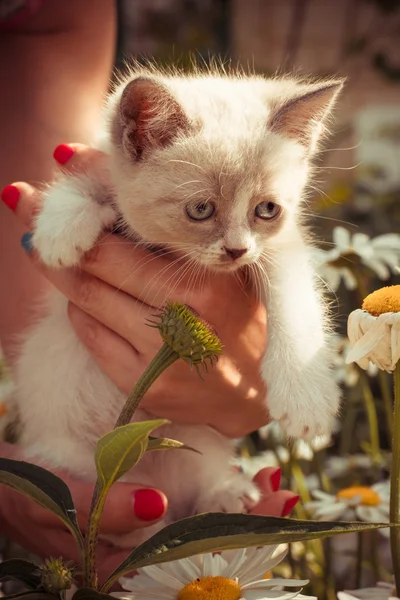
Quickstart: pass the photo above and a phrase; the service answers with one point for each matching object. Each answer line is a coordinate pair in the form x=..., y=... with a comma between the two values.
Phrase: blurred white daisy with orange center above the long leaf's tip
x=362, y=503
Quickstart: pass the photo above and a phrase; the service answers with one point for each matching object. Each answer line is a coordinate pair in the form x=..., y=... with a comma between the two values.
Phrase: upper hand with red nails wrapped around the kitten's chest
x=119, y=285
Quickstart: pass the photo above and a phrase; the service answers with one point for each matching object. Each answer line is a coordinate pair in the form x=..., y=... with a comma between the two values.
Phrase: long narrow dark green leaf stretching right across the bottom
x=213, y=532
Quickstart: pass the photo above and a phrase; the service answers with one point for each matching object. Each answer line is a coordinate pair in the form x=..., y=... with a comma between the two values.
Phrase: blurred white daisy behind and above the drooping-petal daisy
x=380, y=254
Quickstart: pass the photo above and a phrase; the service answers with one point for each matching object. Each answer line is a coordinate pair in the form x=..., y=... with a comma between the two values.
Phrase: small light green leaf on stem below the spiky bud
x=120, y=449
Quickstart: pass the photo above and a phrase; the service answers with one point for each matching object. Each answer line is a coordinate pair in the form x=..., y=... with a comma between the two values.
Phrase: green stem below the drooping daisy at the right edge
x=395, y=482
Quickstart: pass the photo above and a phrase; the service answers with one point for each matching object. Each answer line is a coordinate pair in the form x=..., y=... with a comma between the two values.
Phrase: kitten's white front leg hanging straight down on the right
x=297, y=367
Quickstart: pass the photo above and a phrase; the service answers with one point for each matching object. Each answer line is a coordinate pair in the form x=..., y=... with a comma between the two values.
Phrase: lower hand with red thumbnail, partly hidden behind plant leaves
x=128, y=507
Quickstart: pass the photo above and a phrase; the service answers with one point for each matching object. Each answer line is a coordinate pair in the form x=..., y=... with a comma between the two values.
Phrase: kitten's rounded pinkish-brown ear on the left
x=149, y=117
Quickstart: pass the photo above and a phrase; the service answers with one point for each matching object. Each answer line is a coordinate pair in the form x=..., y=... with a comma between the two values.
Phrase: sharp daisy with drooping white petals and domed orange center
x=374, y=330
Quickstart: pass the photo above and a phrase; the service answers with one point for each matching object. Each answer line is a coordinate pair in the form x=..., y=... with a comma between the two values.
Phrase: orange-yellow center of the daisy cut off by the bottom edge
x=211, y=588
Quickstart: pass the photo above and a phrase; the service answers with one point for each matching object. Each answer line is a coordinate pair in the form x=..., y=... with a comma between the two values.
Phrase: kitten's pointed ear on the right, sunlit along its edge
x=302, y=118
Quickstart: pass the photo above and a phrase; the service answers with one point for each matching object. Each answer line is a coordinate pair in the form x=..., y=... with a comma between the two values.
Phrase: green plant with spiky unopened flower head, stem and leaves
x=188, y=338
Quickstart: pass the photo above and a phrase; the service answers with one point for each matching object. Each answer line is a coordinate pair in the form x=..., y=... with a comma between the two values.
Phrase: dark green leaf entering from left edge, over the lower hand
x=44, y=488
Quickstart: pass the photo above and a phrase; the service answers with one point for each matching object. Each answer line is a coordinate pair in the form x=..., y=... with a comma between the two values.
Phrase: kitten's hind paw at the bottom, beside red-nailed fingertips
x=238, y=494
